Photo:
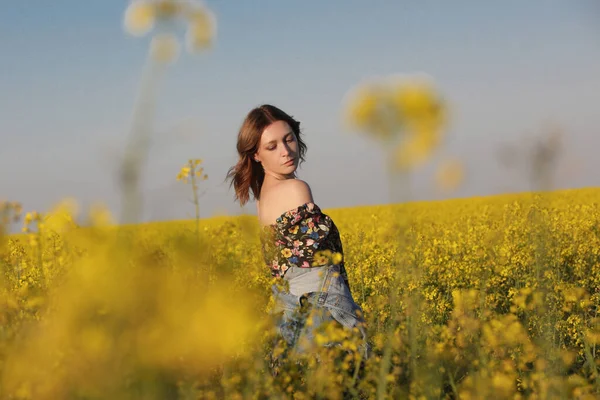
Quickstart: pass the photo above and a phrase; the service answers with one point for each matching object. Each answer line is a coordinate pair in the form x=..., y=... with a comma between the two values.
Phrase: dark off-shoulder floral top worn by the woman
x=302, y=237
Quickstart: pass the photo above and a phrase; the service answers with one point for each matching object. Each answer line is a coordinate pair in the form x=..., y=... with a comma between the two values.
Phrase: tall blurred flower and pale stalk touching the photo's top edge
x=162, y=18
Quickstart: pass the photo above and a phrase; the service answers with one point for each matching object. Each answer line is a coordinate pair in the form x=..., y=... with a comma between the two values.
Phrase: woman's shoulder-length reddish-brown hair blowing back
x=248, y=174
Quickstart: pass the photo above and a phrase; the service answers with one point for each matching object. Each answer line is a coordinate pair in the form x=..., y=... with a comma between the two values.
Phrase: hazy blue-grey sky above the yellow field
x=508, y=69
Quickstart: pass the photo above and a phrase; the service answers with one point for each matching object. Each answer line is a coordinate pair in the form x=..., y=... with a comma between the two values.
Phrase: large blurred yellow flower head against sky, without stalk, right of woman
x=408, y=108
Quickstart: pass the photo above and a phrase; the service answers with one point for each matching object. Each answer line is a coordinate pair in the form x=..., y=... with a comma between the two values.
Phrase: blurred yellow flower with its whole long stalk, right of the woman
x=407, y=117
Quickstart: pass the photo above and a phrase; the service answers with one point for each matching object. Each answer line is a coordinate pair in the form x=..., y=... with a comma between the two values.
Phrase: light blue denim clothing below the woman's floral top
x=321, y=294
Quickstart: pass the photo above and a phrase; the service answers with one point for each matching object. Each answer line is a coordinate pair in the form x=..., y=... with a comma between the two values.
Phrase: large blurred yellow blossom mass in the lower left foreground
x=121, y=323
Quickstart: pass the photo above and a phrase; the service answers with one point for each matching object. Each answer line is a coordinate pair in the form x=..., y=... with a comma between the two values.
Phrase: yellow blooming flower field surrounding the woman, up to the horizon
x=491, y=297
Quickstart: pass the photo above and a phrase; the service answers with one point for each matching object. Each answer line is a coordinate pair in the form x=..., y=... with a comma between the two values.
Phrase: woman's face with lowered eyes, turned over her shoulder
x=278, y=149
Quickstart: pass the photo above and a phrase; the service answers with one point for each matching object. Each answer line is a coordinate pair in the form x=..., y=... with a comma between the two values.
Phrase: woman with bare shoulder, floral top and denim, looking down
x=301, y=245
